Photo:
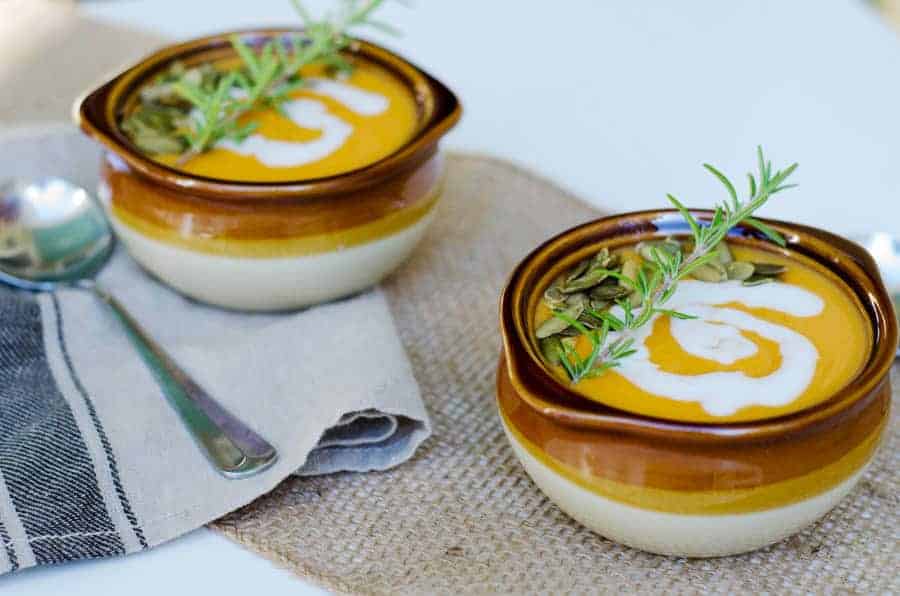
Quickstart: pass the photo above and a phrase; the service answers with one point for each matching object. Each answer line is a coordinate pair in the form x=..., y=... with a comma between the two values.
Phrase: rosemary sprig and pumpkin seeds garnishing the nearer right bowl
x=654, y=281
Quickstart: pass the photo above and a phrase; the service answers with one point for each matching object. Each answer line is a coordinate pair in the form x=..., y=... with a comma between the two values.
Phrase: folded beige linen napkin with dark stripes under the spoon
x=94, y=462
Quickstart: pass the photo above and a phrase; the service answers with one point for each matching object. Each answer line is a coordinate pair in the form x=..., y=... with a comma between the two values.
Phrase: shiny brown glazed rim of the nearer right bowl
x=543, y=391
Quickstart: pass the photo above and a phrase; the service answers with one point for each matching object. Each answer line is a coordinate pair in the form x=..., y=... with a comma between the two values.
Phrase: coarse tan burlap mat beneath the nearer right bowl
x=462, y=516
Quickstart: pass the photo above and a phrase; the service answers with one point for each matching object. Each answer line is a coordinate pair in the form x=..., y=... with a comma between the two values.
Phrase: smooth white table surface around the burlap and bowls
x=620, y=103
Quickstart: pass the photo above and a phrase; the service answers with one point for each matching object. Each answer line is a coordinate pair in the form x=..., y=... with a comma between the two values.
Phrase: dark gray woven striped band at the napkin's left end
x=53, y=502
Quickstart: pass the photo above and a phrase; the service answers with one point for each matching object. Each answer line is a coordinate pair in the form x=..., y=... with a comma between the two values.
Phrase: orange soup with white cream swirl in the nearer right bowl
x=752, y=352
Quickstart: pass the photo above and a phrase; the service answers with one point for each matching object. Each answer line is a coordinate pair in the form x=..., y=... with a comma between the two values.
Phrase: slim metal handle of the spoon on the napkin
x=233, y=448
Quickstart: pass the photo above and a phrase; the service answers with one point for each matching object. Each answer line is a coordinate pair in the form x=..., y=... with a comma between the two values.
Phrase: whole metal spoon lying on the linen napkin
x=53, y=235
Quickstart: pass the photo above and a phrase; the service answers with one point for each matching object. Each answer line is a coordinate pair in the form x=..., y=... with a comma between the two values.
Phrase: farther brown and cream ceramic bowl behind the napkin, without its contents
x=269, y=245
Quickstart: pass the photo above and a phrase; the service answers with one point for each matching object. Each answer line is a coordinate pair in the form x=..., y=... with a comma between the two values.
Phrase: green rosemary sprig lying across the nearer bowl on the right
x=656, y=281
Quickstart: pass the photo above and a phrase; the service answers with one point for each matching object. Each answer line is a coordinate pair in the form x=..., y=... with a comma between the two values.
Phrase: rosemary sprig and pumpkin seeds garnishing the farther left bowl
x=189, y=110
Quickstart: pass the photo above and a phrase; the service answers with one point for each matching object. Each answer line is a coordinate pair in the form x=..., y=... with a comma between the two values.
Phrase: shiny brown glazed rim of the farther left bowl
x=97, y=114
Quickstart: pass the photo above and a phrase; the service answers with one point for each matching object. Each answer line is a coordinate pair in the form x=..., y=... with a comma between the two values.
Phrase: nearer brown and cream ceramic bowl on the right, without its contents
x=690, y=488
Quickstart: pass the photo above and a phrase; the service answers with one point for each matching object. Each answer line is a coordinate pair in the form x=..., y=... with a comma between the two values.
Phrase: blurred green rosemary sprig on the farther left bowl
x=268, y=77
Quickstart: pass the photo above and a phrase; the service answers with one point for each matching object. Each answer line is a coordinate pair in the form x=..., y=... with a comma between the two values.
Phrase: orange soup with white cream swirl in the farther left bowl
x=332, y=125
